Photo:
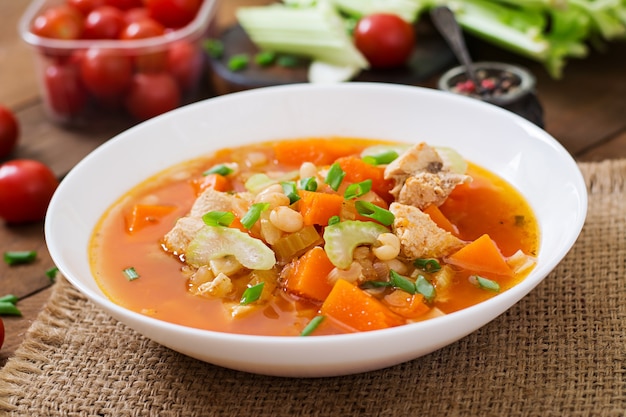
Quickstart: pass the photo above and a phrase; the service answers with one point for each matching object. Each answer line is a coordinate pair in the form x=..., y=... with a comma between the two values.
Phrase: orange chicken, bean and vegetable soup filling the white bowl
x=314, y=236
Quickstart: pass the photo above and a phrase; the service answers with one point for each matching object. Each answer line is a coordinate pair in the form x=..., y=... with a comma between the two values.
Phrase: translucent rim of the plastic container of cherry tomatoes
x=194, y=28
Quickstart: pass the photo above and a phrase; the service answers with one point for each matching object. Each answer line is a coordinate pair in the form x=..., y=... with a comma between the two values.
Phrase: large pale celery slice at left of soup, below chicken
x=213, y=242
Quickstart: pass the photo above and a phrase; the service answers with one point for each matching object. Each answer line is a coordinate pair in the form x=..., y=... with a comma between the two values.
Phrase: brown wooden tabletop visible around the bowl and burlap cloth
x=585, y=111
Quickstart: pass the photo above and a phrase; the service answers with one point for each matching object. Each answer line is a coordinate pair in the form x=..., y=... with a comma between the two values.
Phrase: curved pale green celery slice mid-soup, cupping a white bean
x=344, y=237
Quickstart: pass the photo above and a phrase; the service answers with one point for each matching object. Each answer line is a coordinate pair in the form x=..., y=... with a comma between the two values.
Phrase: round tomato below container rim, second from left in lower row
x=106, y=73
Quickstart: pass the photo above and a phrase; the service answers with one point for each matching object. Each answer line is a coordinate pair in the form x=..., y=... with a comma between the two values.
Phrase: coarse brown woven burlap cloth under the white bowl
x=561, y=351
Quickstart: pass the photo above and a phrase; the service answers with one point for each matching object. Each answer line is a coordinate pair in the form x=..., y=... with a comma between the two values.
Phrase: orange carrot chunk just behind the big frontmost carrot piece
x=308, y=276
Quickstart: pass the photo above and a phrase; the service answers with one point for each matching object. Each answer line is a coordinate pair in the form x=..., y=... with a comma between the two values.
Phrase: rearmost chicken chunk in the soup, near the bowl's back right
x=421, y=177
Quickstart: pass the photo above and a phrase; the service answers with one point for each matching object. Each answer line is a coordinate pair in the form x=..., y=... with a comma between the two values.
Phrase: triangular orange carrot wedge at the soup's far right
x=482, y=256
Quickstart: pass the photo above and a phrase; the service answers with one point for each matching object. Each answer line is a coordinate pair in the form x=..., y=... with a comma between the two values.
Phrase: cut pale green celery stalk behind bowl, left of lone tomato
x=317, y=32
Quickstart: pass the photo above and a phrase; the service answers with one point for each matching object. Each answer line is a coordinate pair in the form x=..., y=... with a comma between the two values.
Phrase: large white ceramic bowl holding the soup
x=517, y=150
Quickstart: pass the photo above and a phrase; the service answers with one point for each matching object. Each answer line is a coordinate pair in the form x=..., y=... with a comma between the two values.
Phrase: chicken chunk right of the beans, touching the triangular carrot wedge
x=420, y=237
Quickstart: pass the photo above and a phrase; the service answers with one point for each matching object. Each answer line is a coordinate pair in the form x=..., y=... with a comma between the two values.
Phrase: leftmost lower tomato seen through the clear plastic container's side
x=66, y=95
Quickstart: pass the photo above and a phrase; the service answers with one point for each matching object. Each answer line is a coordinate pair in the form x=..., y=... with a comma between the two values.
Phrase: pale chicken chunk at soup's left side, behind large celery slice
x=185, y=229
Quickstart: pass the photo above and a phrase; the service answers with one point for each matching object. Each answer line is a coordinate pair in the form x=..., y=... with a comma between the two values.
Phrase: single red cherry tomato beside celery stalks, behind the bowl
x=385, y=39
